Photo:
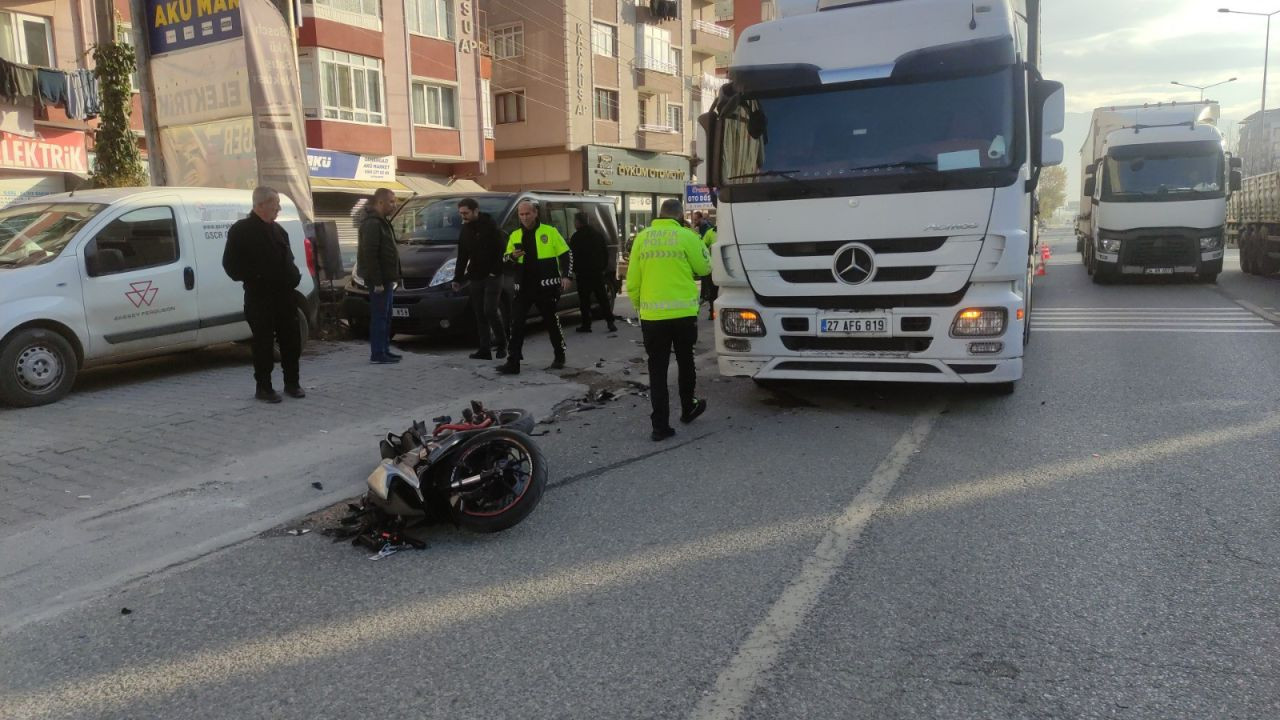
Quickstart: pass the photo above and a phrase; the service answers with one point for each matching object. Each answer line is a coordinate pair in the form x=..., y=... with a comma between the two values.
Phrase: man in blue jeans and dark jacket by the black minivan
x=378, y=261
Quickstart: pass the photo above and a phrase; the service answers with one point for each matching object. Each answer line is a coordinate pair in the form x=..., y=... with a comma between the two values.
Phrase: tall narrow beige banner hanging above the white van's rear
x=280, y=130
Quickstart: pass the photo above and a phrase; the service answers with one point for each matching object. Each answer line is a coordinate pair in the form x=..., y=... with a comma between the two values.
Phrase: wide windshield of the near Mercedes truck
x=872, y=133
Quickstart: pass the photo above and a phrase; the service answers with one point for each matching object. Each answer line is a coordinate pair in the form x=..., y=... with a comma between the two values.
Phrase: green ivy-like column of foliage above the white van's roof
x=120, y=165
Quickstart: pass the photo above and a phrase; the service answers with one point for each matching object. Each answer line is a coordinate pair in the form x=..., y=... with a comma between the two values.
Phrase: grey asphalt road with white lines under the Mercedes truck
x=1100, y=545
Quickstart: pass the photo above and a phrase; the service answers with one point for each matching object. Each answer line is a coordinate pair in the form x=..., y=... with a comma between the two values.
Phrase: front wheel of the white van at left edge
x=38, y=367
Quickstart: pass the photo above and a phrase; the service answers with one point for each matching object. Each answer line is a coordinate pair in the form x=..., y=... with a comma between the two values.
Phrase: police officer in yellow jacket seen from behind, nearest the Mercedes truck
x=661, y=281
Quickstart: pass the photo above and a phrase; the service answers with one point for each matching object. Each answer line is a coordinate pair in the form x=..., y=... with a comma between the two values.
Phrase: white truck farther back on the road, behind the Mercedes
x=1155, y=184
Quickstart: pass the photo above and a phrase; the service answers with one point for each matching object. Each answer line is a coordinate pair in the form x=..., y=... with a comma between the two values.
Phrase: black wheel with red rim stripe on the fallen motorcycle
x=504, y=502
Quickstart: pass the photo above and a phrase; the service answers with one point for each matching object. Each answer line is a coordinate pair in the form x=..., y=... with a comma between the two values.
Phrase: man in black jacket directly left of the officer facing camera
x=481, y=250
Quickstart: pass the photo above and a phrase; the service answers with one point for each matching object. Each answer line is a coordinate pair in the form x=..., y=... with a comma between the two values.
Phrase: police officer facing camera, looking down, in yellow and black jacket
x=545, y=267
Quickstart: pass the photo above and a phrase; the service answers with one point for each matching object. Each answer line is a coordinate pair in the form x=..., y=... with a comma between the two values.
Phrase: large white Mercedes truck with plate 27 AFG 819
x=876, y=167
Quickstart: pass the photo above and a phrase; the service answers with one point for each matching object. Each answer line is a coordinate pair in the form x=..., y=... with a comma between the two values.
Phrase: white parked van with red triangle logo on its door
x=107, y=276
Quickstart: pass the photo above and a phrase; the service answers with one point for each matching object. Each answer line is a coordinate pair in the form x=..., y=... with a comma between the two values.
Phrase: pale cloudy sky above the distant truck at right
x=1130, y=52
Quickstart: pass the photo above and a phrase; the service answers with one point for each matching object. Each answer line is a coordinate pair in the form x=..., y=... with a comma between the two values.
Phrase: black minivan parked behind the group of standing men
x=427, y=230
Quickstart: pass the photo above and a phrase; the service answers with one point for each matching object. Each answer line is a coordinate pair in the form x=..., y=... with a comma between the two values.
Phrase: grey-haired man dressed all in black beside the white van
x=258, y=256
